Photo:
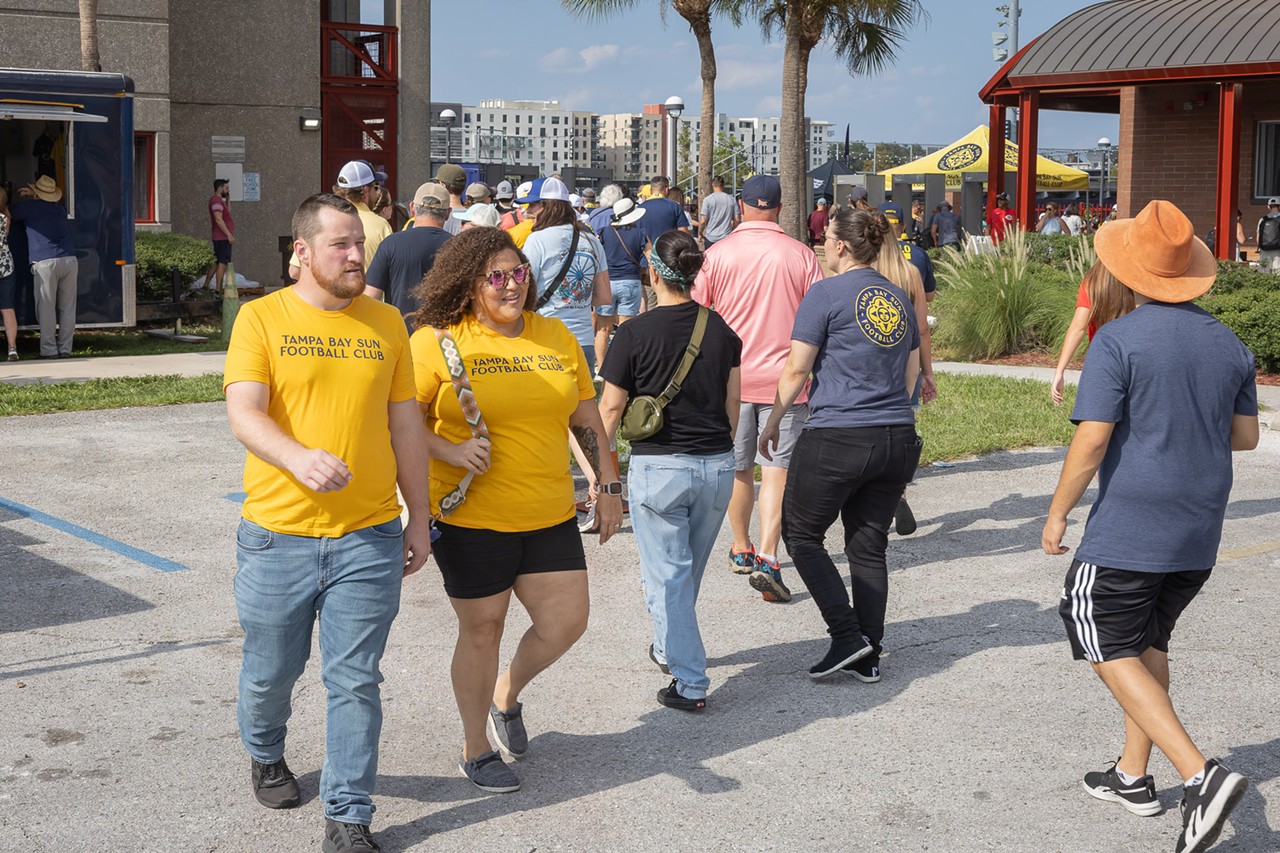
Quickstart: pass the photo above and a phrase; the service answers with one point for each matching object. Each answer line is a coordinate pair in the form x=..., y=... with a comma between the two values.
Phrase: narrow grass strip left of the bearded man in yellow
x=109, y=394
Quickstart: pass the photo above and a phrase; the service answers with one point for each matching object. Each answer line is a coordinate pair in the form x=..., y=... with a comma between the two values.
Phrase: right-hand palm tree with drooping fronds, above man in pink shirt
x=865, y=34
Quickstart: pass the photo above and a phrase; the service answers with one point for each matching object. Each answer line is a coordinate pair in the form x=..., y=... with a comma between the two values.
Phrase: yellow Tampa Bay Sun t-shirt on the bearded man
x=331, y=376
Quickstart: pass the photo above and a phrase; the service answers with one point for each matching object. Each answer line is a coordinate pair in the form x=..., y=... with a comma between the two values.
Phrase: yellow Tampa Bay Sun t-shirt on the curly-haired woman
x=527, y=389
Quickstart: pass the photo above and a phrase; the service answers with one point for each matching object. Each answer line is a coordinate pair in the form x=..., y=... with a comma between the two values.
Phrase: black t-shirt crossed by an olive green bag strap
x=644, y=355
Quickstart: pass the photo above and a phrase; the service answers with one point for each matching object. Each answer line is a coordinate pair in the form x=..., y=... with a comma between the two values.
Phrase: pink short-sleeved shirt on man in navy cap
x=756, y=279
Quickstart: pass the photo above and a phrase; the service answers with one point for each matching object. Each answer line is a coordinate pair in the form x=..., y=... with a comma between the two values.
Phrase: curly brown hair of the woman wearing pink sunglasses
x=447, y=291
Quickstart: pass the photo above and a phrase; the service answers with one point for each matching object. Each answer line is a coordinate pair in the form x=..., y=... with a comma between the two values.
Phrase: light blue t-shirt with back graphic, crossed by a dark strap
x=572, y=302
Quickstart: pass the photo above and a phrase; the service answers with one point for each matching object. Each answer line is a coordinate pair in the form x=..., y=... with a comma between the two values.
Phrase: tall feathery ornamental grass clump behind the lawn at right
x=996, y=305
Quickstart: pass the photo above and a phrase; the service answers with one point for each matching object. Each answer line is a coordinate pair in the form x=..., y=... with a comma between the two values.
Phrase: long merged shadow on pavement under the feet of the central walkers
x=678, y=745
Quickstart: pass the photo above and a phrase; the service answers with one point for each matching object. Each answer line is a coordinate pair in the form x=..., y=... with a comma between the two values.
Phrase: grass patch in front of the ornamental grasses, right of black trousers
x=975, y=416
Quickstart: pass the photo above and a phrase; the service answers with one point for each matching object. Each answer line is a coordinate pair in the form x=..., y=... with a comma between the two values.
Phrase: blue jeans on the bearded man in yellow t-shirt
x=353, y=585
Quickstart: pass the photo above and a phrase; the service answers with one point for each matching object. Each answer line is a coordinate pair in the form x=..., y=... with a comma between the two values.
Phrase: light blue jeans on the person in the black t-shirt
x=678, y=505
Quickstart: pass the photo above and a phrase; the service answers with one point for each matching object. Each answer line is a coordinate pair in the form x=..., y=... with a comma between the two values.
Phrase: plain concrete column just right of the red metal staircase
x=414, y=161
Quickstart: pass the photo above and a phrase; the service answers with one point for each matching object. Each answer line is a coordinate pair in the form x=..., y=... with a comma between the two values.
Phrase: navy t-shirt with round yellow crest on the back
x=865, y=330
